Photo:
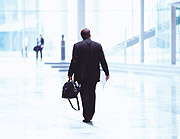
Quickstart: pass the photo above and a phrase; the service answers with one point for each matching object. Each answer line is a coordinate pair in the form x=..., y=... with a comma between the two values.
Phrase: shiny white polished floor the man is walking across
x=130, y=106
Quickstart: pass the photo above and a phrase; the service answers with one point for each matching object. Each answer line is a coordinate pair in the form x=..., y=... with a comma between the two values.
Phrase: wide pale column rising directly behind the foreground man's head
x=80, y=17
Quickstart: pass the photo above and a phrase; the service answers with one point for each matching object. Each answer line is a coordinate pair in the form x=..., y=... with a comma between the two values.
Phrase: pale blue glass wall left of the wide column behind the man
x=30, y=18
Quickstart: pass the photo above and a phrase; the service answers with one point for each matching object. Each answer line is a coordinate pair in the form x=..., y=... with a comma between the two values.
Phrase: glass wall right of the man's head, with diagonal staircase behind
x=115, y=22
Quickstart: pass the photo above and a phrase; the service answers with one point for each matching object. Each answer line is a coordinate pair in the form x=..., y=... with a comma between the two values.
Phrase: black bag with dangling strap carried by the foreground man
x=70, y=90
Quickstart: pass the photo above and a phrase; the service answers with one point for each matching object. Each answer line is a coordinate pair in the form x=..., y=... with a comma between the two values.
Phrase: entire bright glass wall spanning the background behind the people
x=115, y=24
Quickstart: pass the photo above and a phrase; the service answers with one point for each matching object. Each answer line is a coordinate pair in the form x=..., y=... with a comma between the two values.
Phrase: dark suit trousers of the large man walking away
x=88, y=97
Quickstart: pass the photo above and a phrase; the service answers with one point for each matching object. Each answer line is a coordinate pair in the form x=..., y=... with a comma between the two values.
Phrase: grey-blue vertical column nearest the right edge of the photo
x=173, y=35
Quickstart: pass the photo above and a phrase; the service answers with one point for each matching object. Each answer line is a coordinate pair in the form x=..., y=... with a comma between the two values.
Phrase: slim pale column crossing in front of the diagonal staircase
x=141, y=35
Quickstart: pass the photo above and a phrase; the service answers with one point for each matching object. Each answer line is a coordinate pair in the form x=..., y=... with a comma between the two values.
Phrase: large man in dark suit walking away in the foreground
x=87, y=56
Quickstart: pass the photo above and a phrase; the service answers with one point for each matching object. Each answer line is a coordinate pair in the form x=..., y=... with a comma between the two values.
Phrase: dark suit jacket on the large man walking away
x=86, y=59
